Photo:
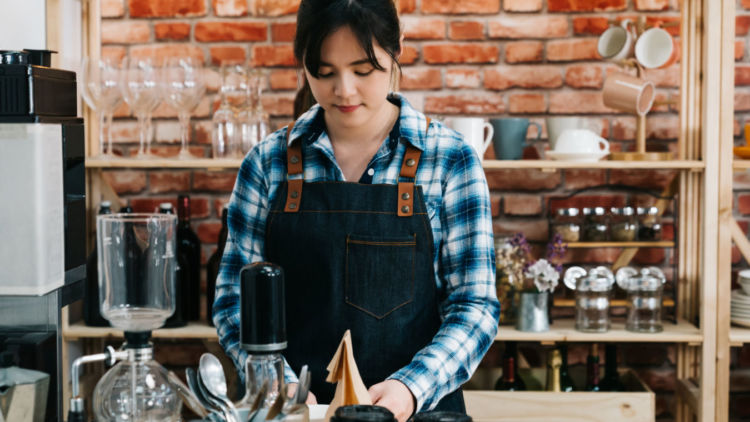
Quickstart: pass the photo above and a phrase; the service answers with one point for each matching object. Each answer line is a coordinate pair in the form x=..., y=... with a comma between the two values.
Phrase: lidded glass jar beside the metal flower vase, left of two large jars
x=593, y=289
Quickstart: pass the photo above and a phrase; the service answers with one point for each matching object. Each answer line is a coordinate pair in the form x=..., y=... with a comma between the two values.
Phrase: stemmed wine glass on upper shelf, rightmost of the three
x=184, y=86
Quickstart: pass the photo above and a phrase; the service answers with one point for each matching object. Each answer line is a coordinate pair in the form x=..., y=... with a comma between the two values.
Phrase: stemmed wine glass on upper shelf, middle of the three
x=142, y=93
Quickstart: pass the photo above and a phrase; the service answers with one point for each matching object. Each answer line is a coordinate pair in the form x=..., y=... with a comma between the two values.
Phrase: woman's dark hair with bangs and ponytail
x=368, y=20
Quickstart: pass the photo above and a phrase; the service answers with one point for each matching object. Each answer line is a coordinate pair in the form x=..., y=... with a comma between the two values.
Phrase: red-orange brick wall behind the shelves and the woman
x=489, y=58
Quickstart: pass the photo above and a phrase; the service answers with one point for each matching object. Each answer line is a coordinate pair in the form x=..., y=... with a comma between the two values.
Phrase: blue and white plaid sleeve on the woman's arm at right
x=470, y=310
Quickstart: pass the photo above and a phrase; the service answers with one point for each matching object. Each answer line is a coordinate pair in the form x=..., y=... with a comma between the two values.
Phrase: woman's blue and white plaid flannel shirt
x=458, y=204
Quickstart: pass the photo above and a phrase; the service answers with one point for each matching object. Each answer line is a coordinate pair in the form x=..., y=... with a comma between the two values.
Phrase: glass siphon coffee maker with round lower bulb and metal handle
x=136, y=257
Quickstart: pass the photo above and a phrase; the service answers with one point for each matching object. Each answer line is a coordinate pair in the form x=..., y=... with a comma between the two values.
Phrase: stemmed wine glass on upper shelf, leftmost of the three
x=101, y=90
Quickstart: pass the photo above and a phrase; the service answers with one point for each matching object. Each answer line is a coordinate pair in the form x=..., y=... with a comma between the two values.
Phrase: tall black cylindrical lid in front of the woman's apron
x=262, y=308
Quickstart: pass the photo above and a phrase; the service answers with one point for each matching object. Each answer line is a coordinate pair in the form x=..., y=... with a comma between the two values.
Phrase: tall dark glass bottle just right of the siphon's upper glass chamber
x=189, y=246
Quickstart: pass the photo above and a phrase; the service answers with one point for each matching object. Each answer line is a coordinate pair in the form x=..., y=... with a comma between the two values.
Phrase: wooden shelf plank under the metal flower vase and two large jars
x=563, y=330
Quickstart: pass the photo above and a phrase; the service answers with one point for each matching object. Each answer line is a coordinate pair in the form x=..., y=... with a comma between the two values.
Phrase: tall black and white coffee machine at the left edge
x=42, y=186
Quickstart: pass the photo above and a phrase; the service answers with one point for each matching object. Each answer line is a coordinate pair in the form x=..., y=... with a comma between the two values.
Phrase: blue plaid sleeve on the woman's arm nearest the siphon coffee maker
x=246, y=220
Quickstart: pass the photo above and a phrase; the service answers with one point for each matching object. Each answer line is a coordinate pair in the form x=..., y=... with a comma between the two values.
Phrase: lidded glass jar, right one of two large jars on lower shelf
x=645, y=288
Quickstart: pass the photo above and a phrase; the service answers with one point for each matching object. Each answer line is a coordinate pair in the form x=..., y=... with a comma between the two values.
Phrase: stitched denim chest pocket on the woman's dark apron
x=379, y=273
